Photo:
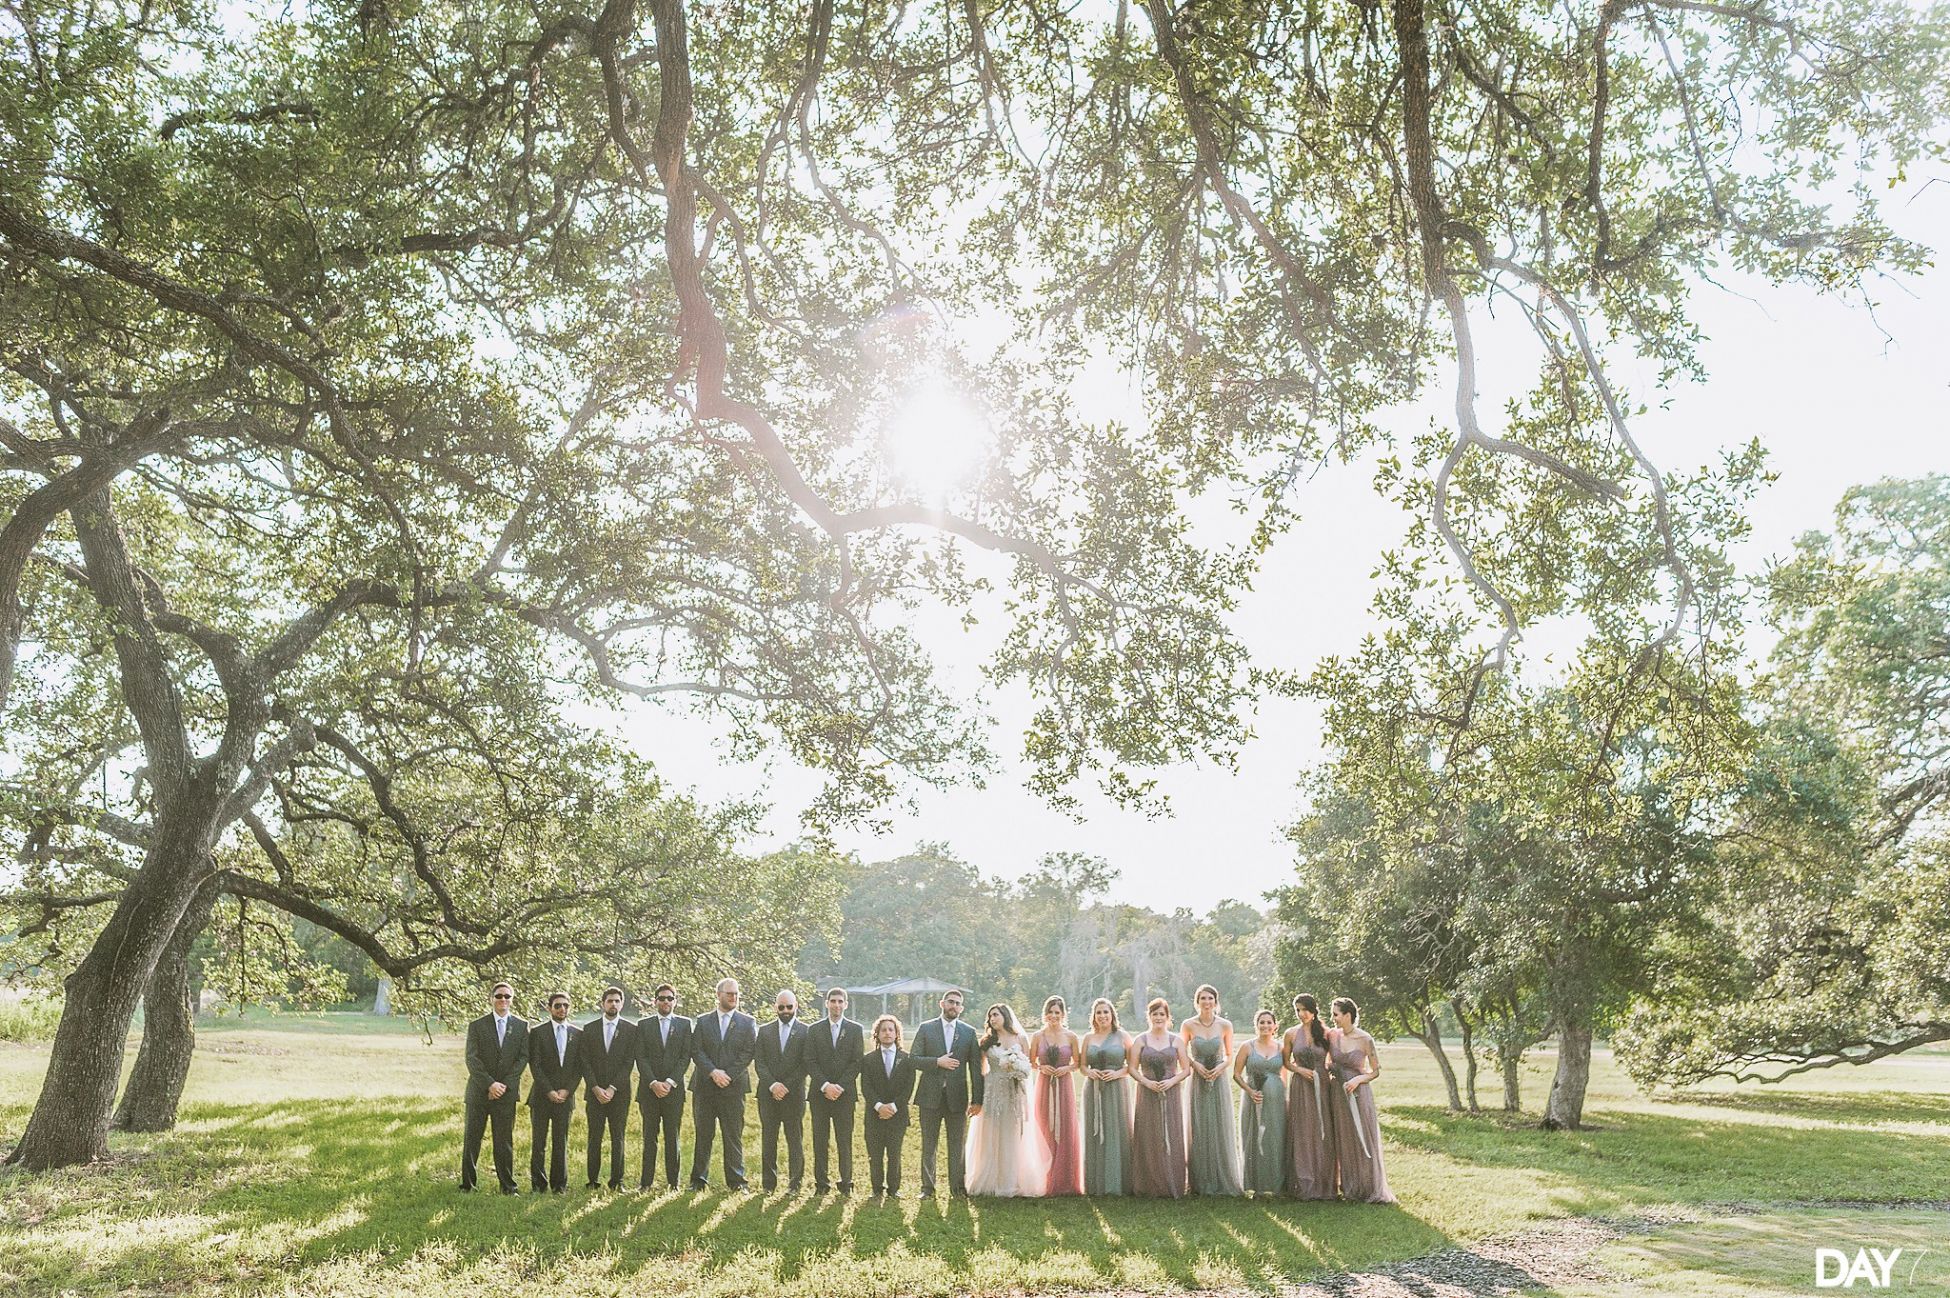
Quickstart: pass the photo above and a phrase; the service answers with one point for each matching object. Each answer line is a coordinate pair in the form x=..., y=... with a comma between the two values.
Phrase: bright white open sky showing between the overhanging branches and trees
x=1814, y=379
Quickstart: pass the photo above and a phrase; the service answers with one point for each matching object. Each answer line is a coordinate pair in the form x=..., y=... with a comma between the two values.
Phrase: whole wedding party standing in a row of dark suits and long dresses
x=1161, y=1114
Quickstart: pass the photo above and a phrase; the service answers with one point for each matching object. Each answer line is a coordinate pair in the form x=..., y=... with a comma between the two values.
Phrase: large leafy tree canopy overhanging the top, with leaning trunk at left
x=385, y=385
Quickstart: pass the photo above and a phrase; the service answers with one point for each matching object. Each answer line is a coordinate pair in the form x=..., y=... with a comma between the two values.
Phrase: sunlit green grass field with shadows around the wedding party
x=319, y=1157
